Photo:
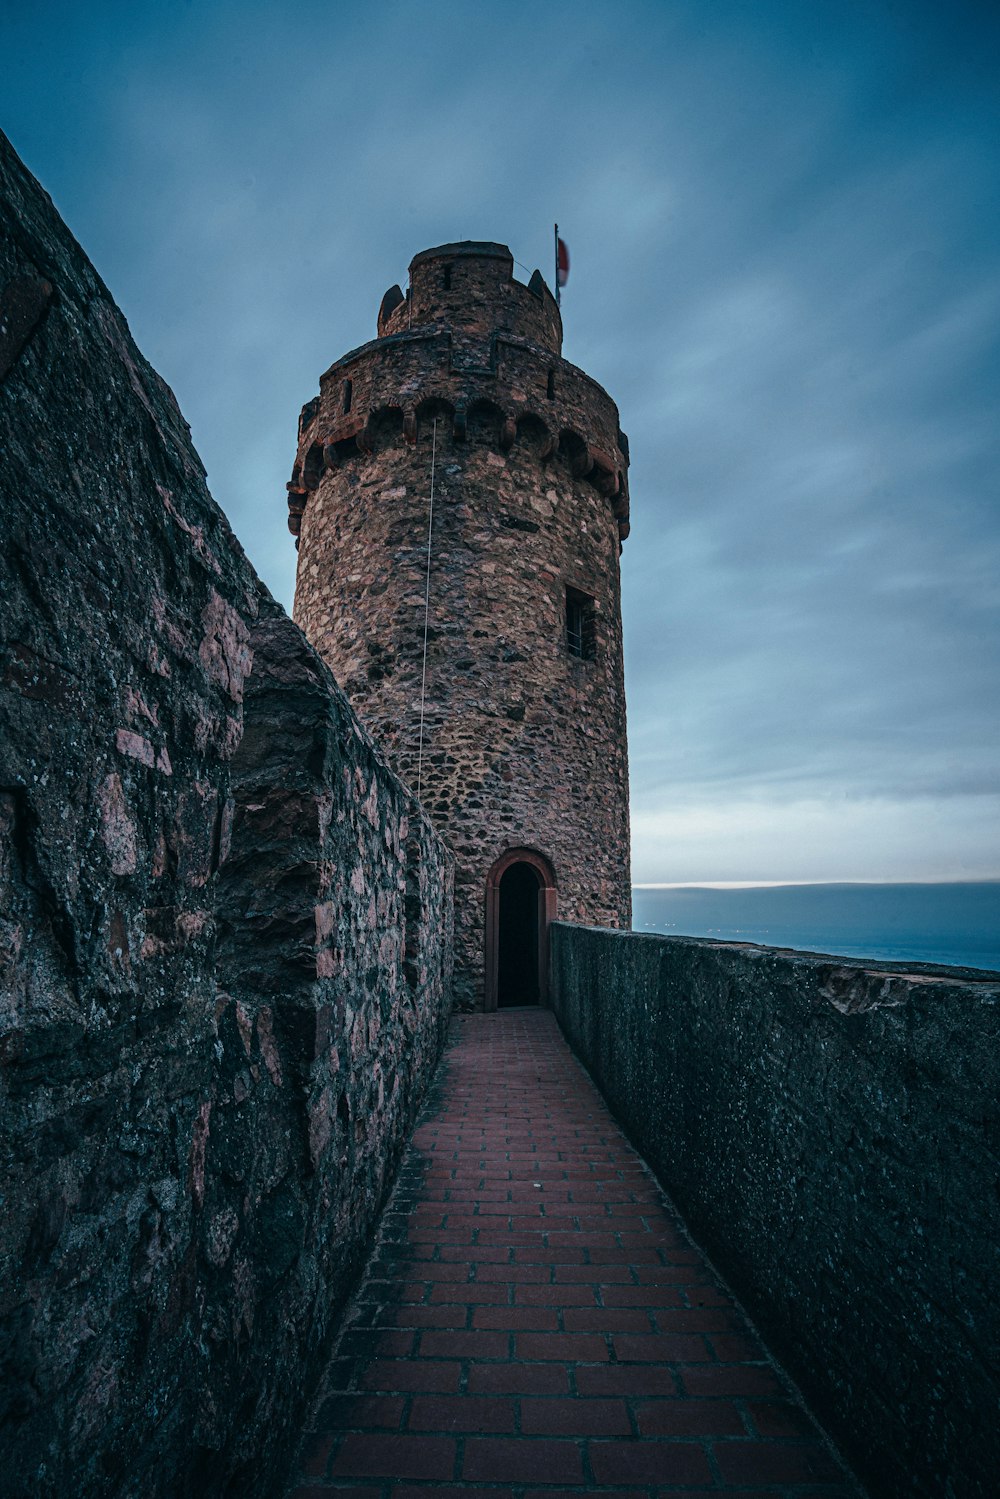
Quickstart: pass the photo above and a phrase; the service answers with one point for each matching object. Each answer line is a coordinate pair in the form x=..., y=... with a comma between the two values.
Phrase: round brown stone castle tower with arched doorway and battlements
x=519, y=756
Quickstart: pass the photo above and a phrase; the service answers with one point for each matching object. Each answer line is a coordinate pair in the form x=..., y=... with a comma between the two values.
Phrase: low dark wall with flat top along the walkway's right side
x=830, y=1131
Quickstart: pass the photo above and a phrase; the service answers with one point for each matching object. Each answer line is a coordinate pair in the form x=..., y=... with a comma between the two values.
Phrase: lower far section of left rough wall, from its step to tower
x=335, y=951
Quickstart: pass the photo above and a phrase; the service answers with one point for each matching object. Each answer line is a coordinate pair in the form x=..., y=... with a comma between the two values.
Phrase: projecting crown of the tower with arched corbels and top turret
x=476, y=352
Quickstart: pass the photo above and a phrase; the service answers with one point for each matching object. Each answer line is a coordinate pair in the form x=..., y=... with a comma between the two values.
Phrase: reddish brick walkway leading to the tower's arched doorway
x=536, y=1321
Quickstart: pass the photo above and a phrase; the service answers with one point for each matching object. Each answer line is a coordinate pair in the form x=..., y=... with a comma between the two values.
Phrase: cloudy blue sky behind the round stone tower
x=785, y=233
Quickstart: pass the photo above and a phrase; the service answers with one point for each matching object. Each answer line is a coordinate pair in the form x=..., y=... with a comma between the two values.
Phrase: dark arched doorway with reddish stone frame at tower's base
x=521, y=902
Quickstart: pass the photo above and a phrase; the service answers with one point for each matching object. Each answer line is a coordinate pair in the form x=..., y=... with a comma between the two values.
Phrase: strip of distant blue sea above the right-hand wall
x=950, y=924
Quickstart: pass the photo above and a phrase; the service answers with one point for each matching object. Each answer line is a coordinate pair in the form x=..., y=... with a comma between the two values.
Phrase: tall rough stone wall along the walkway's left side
x=224, y=935
